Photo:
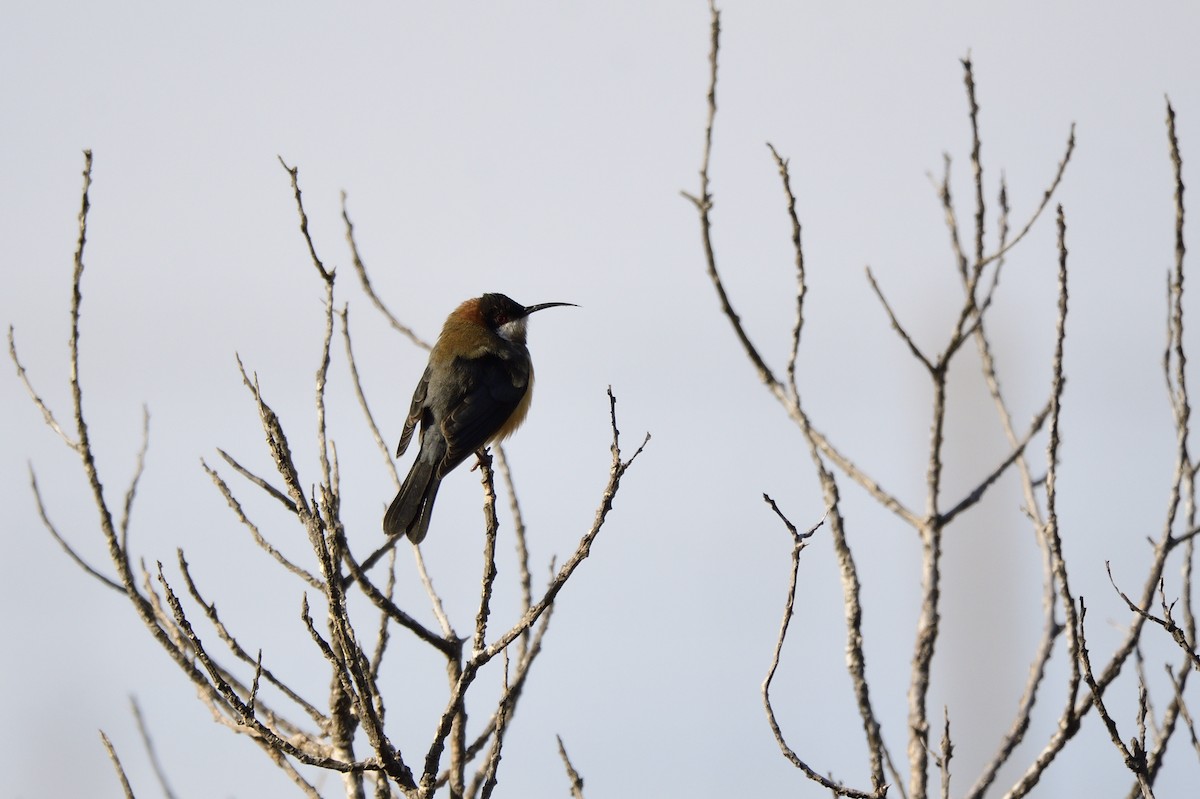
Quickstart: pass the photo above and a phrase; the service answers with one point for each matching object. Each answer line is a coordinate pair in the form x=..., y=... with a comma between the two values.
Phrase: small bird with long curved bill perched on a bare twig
x=476, y=391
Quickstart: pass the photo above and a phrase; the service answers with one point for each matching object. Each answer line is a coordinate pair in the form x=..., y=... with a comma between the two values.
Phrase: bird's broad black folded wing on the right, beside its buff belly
x=495, y=389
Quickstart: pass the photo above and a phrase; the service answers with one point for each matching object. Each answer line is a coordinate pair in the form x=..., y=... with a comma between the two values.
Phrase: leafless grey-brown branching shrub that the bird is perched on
x=357, y=706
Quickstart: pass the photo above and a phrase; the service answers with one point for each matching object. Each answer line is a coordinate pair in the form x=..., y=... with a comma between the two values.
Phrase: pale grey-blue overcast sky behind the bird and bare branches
x=539, y=149
